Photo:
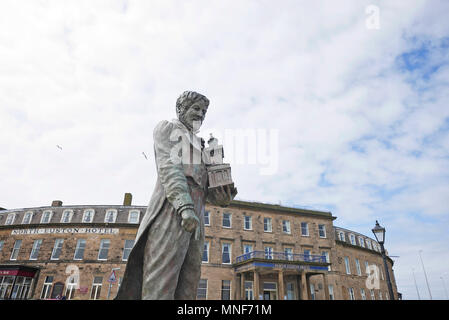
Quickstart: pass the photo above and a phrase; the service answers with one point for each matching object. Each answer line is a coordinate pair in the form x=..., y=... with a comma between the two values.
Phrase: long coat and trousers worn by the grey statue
x=160, y=232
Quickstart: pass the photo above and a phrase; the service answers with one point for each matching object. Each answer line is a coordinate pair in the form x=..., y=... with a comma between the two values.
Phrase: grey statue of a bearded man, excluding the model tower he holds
x=165, y=262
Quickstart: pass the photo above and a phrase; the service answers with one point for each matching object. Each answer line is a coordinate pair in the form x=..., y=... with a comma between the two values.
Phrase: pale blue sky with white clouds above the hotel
x=350, y=98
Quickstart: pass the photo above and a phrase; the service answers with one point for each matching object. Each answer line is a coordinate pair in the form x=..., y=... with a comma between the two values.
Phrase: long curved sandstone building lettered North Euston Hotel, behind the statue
x=252, y=251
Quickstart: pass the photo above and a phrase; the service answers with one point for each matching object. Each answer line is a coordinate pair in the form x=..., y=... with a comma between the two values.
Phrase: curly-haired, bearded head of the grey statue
x=191, y=108
